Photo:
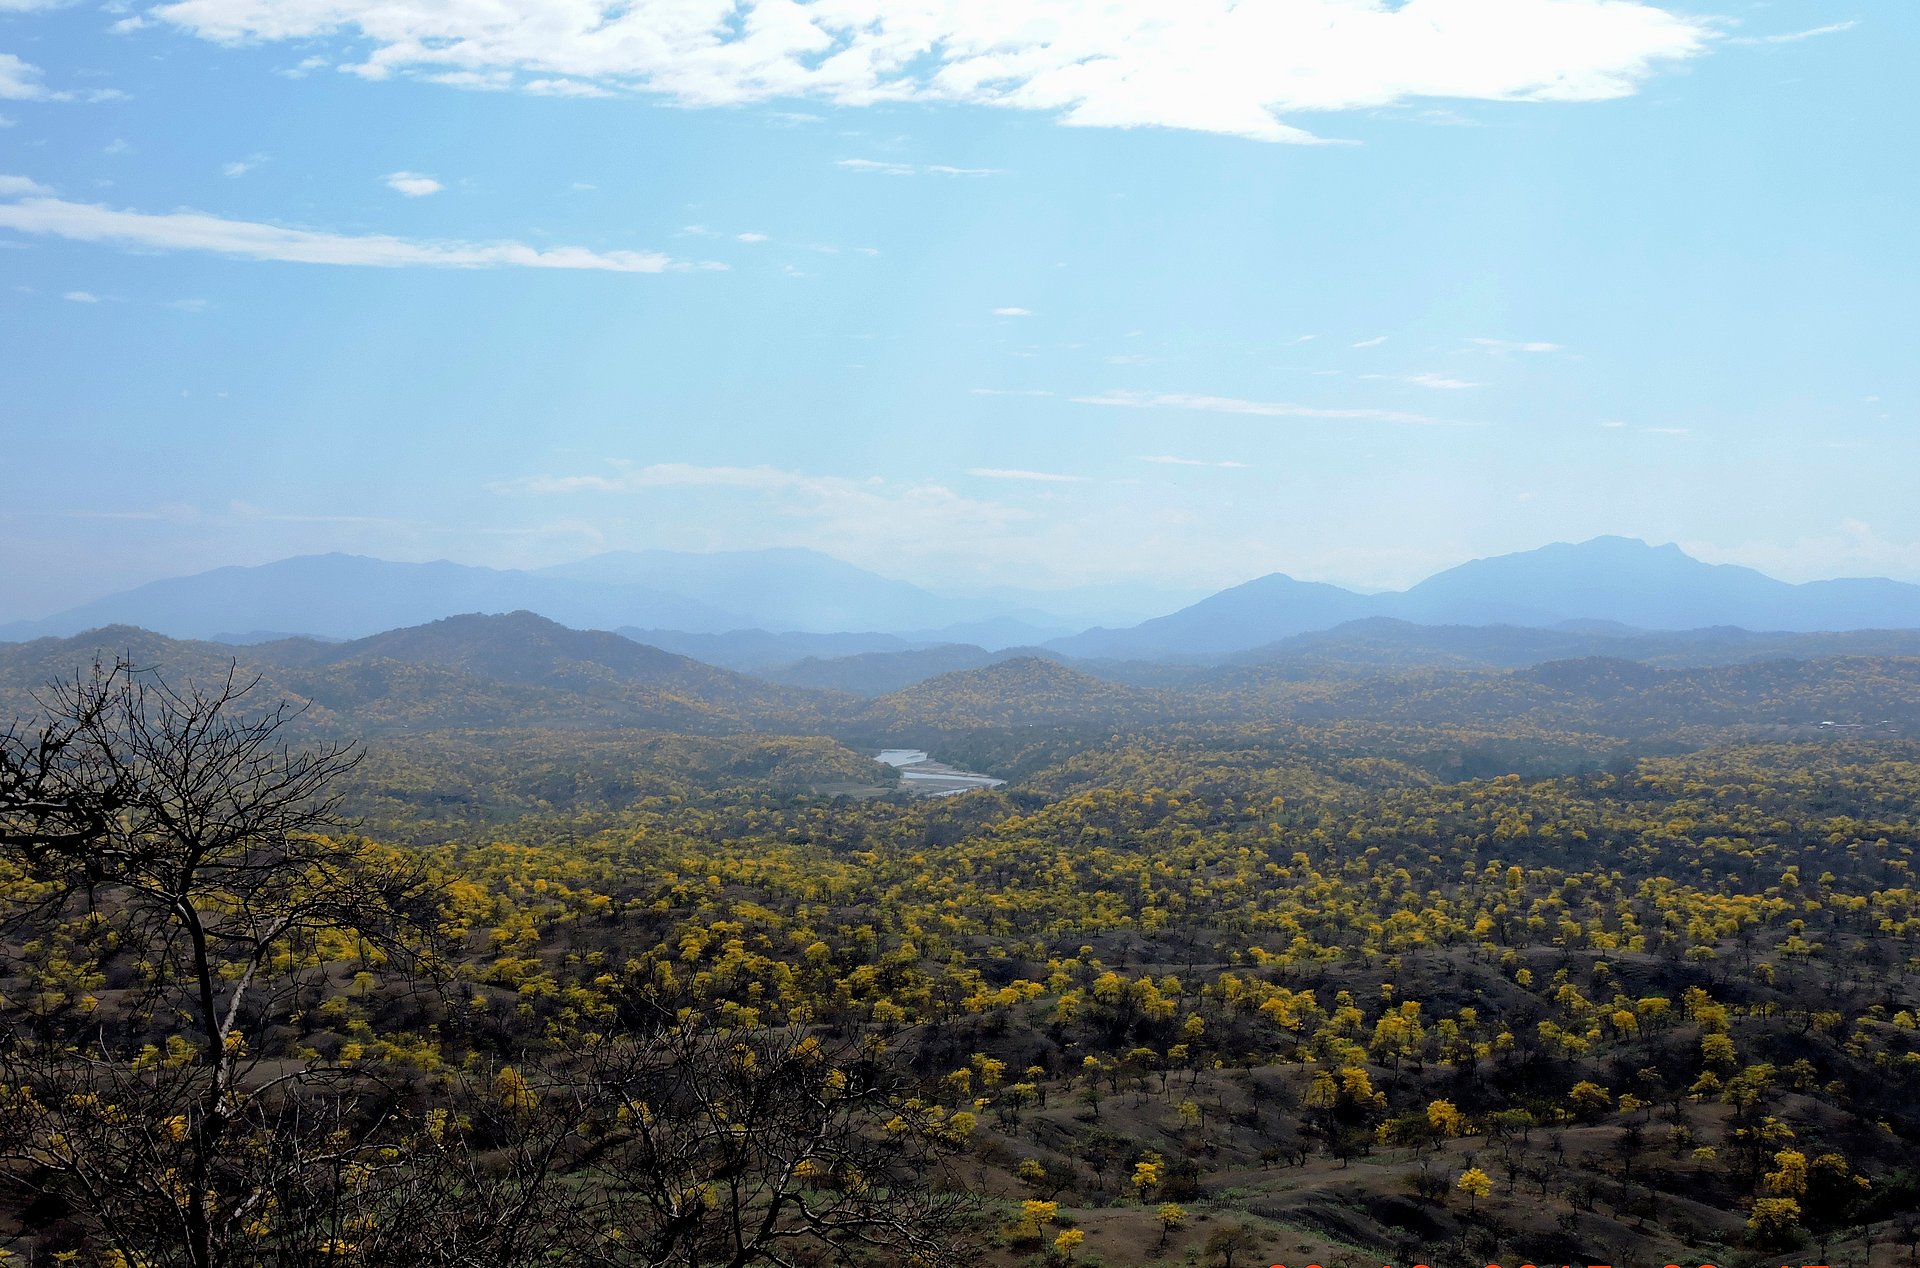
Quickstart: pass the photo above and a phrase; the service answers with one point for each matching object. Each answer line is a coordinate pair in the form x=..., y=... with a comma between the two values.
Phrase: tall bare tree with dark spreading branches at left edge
x=170, y=896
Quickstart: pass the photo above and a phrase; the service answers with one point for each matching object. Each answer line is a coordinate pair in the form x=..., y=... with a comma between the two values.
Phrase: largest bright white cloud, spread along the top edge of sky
x=1211, y=66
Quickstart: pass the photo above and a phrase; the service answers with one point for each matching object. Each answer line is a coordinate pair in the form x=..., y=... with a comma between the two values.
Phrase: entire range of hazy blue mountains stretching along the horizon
x=777, y=608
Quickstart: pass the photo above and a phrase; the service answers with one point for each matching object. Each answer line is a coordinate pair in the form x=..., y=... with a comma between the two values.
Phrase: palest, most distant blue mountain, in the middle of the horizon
x=792, y=591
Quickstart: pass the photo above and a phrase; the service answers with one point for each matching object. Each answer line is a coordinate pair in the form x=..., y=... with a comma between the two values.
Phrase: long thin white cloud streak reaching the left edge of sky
x=197, y=232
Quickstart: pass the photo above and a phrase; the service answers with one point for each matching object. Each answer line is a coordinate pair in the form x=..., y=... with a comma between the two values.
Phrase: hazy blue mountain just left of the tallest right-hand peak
x=1234, y=620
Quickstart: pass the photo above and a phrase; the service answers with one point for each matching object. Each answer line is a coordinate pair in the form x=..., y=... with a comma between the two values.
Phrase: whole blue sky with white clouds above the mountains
x=1007, y=293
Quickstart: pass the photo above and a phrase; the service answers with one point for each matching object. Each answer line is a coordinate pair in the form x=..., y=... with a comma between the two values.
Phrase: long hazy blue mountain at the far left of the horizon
x=352, y=597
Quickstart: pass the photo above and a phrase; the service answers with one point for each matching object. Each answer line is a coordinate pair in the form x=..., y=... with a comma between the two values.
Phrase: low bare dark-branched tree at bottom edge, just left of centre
x=769, y=1148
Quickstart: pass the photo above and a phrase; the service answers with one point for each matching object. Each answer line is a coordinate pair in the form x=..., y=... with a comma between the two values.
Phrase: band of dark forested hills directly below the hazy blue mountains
x=523, y=671
